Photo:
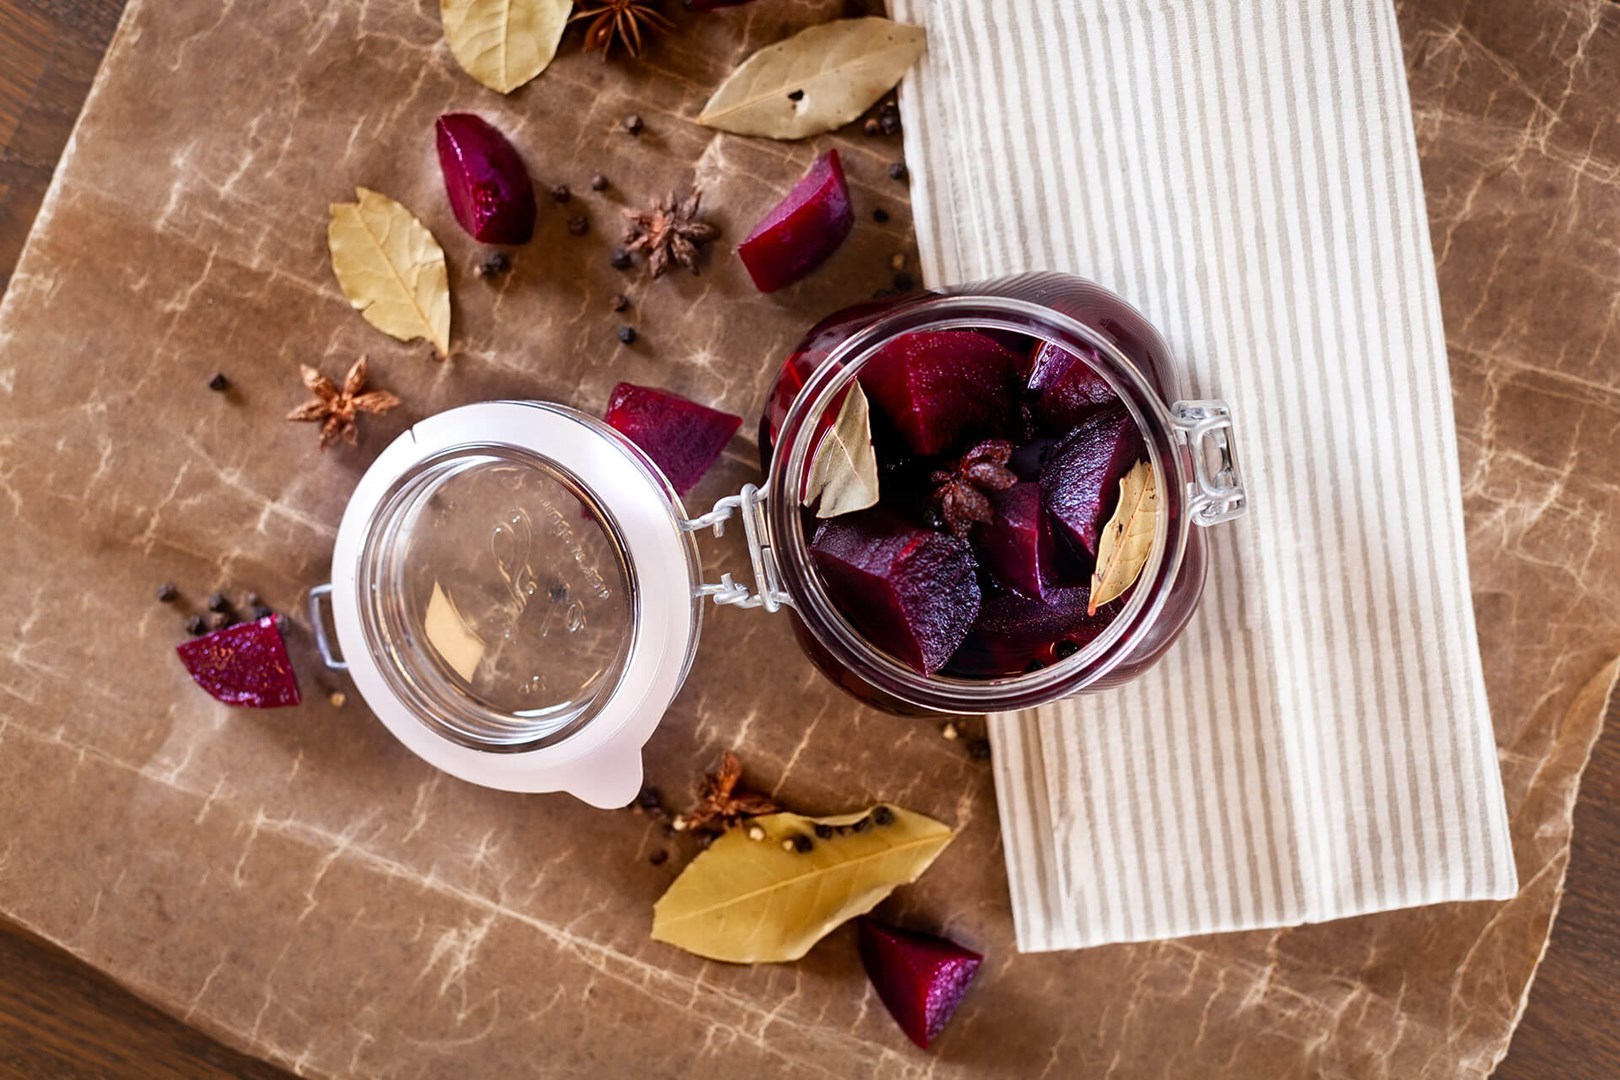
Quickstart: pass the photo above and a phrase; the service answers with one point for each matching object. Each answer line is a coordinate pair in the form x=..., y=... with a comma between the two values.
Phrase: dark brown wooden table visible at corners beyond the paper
x=61, y=1018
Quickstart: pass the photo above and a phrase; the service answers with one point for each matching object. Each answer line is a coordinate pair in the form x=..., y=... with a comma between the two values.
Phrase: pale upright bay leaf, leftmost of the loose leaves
x=391, y=270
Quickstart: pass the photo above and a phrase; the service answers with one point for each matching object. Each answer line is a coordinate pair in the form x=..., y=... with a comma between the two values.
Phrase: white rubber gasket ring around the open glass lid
x=602, y=763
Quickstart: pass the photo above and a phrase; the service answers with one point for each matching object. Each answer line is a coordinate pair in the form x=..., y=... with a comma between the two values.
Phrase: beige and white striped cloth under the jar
x=1245, y=171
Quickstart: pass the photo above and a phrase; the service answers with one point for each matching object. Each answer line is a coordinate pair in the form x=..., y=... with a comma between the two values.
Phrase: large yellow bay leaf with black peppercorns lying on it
x=757, y=903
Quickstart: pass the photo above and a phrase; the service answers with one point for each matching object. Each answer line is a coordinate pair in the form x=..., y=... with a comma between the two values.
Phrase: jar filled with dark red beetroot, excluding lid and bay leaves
x=1004, y=419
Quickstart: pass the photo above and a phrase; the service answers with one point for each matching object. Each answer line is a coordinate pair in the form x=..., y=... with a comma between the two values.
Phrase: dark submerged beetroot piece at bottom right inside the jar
x=1015, y=632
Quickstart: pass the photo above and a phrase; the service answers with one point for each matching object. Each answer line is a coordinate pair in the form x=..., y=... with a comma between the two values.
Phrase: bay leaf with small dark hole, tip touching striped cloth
x=816, y=82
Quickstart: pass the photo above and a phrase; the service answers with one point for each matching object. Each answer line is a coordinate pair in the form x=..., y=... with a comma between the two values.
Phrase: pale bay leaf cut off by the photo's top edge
x=505, y=43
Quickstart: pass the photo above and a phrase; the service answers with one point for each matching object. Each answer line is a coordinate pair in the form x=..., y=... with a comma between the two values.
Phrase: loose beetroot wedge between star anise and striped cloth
x=804, y=229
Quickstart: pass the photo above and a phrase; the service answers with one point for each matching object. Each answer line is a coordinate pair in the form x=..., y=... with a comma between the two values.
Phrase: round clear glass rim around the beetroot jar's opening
x=795, y=451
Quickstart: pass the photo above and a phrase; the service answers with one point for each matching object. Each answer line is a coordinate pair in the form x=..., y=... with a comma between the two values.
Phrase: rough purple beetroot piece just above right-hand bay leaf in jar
x=1081, y=482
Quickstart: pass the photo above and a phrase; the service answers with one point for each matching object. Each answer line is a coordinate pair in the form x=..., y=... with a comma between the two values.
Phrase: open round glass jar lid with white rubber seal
x=518, y=600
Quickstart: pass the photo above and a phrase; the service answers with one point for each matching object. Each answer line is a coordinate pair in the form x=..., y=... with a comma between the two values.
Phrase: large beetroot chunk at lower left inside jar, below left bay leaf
x=913, y=592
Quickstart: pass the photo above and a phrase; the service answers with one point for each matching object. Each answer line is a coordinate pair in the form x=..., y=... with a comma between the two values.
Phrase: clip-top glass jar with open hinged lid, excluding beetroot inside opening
x=518, y=592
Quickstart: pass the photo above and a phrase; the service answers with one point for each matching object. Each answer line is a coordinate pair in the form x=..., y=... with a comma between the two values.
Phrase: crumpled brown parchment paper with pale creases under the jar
x=304, y=888
